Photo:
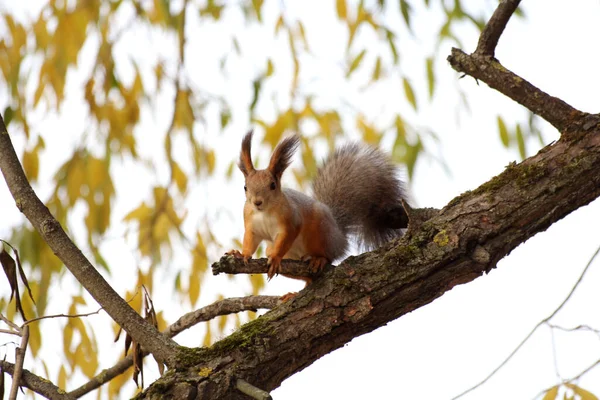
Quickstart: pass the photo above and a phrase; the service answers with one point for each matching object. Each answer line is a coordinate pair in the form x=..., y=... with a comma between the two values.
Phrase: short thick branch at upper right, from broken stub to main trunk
x=560, y=114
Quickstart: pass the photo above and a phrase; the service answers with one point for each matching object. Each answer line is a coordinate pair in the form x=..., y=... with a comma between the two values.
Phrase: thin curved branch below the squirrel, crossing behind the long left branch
x=223, y=307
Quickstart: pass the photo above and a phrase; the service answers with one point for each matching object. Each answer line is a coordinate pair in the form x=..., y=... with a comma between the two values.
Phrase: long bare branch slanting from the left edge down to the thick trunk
x=53, y=234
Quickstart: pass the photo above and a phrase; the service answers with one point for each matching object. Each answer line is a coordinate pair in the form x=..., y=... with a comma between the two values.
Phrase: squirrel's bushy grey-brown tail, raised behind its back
x=361, y=187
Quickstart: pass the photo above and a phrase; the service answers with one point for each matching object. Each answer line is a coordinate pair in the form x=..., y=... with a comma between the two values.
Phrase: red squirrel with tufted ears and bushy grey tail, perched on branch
x=356, y=192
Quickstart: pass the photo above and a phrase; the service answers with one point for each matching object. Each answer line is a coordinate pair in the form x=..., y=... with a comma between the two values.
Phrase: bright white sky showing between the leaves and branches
x=447, y=346
